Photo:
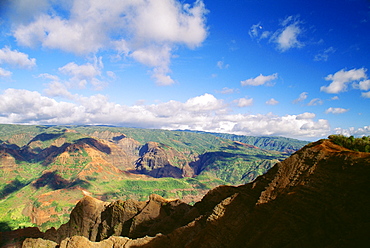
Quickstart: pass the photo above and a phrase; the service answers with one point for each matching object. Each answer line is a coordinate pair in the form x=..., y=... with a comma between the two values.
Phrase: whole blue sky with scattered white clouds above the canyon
x=247, y=67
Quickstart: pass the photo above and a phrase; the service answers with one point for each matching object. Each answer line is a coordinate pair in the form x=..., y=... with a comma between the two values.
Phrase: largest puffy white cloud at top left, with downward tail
x=147, y=31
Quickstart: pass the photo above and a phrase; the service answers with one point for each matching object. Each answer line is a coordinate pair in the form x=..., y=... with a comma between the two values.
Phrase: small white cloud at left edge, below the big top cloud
x=15, y=58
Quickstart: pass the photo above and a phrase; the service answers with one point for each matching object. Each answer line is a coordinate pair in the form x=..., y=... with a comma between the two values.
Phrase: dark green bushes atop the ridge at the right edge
x=352, y=143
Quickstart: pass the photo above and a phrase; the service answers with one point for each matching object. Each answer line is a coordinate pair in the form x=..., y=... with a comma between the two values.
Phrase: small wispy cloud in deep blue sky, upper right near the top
x=287, y=37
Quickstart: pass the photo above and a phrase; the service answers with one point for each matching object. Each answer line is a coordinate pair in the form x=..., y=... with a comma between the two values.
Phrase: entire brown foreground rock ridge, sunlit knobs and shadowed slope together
x=318, y=197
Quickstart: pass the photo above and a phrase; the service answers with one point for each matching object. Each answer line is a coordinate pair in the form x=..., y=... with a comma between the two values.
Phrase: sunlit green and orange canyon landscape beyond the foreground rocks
x=45, y=170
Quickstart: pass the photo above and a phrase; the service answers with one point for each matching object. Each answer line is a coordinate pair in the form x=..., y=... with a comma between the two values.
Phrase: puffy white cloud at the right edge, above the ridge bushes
x=341, y=79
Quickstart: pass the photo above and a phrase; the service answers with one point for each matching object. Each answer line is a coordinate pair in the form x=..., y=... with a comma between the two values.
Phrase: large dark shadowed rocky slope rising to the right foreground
x=316, y=198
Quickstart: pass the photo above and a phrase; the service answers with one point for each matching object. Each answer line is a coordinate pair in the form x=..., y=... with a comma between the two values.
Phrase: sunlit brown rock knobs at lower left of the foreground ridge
x=97, y=220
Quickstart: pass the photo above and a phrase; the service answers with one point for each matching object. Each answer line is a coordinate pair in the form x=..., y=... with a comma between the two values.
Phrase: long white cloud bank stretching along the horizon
x=205, y=112
